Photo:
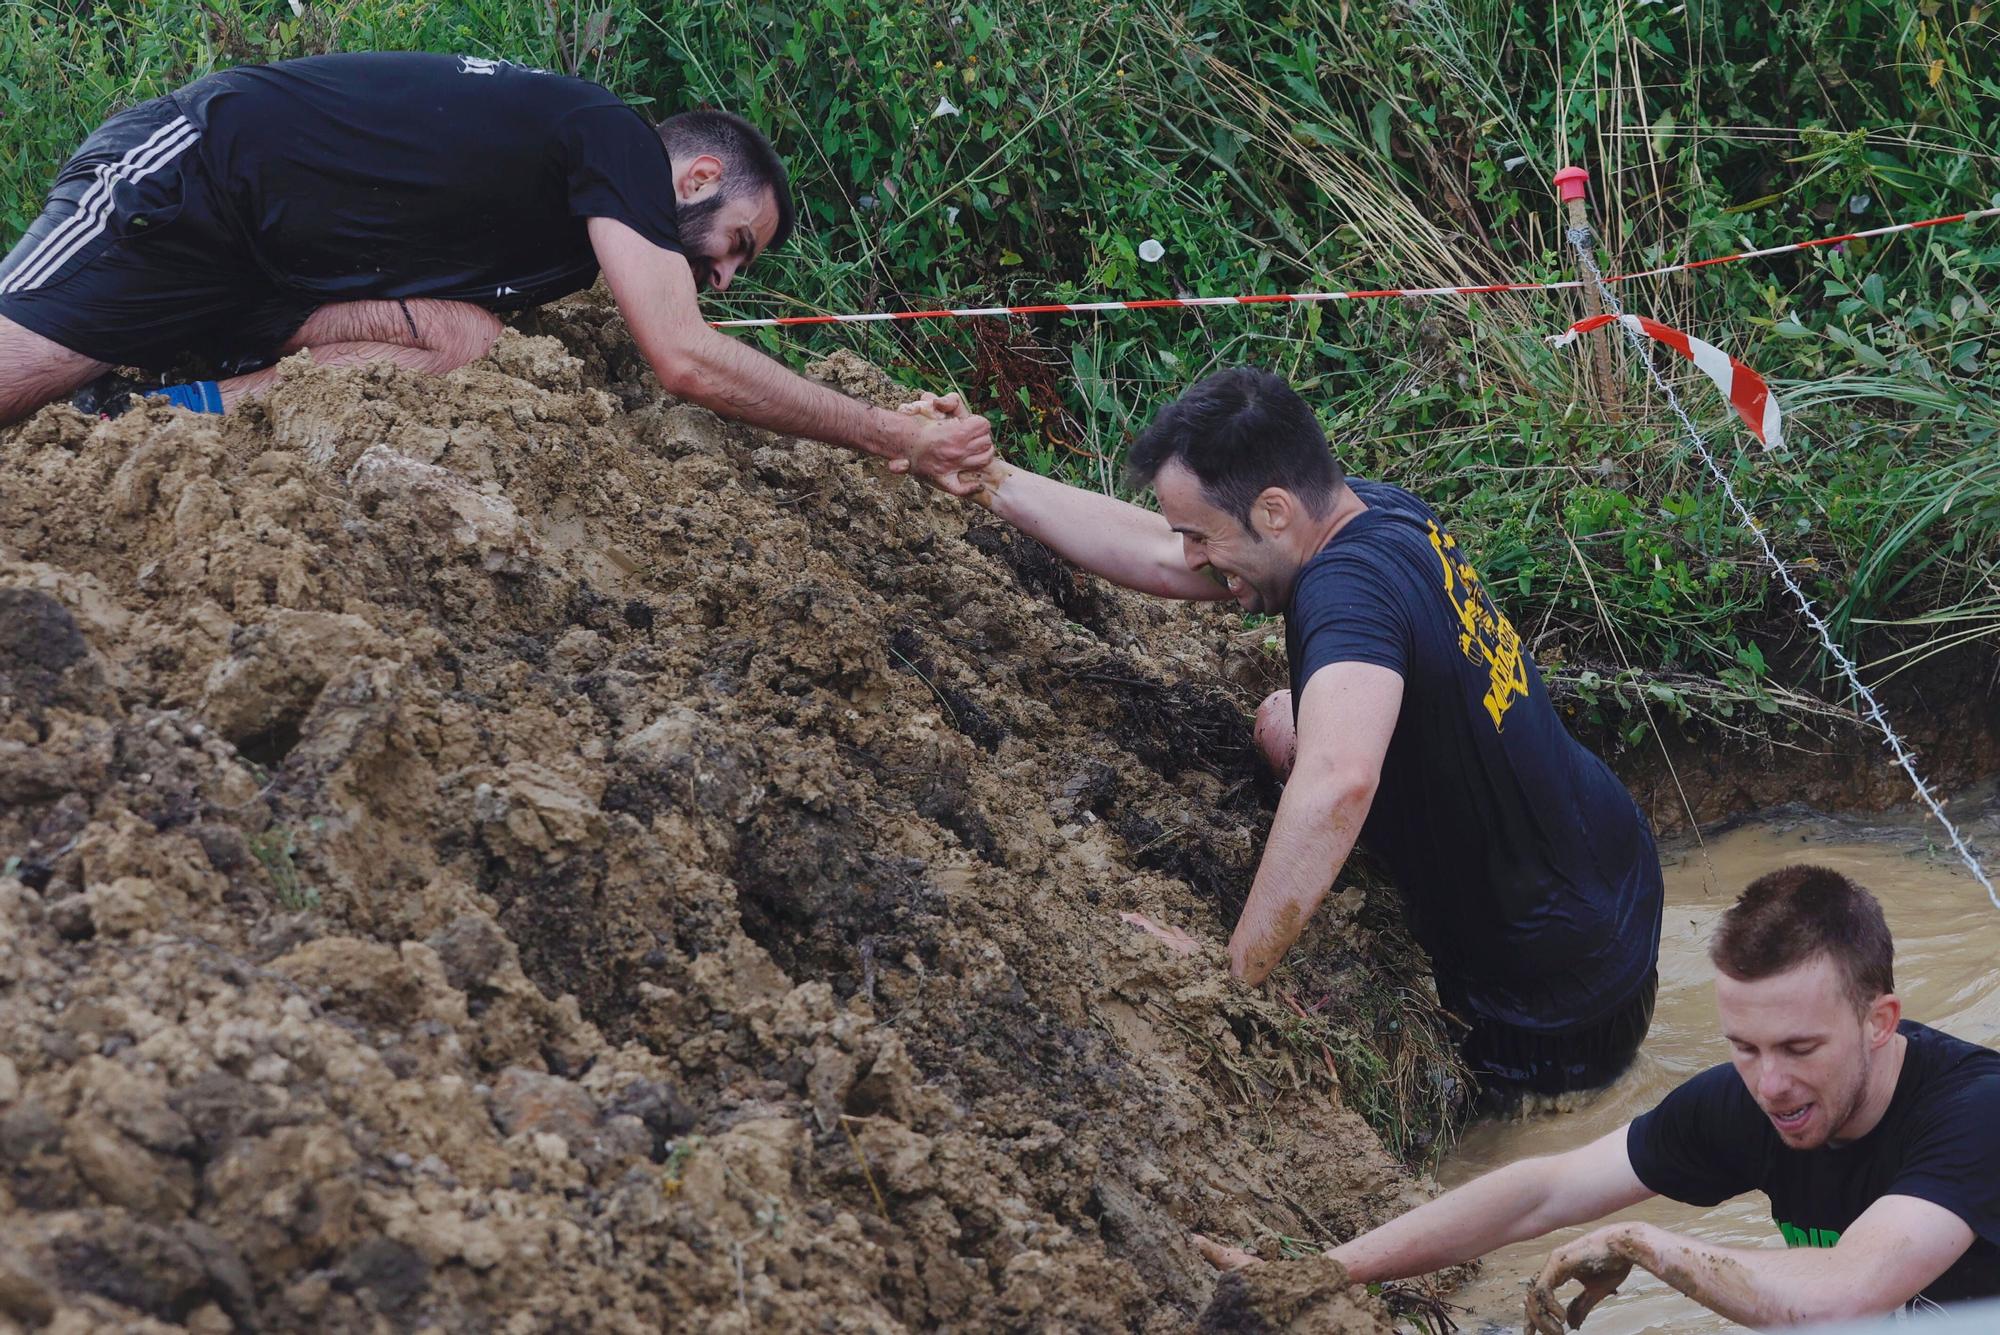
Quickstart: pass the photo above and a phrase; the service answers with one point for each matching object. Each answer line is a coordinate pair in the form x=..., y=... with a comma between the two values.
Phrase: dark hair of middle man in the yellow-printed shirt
x=1239, y=433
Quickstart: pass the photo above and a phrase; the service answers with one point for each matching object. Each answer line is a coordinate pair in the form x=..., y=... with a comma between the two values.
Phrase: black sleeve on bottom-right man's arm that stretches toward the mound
x=1703, y=1144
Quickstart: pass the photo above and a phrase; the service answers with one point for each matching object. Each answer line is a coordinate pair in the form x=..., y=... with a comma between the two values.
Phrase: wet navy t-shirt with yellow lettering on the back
x=1525, y=866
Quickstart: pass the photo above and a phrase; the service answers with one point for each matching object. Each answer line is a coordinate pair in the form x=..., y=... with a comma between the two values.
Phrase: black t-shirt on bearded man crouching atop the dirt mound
x=409, y=175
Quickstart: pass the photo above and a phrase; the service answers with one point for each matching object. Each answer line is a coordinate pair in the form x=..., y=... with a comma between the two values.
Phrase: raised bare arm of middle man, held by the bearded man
x=1127, y=545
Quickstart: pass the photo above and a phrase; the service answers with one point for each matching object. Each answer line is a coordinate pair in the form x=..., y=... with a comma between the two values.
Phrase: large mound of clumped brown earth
x=513, y=852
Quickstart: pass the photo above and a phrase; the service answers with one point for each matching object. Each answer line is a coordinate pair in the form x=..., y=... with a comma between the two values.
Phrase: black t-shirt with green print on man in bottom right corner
x=1937, y=1142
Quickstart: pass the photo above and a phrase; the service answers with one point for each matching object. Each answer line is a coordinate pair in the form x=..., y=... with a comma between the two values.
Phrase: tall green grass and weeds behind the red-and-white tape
x=971, y=153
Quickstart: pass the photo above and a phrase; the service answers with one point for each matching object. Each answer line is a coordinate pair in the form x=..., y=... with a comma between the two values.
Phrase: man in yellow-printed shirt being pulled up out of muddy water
x=1417, y=724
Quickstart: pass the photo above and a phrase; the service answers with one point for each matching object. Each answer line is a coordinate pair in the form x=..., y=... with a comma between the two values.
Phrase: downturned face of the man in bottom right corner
x=1805, y=1050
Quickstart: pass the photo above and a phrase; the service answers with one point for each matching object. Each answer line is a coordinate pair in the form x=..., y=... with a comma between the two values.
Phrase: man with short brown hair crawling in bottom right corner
x=1875, y=1138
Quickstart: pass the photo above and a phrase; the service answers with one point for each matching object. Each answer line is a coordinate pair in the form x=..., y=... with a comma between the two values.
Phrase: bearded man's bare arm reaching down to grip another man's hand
x=655, y=291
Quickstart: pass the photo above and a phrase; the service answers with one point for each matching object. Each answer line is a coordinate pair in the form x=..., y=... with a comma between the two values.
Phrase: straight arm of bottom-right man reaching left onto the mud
x=1507, y=1206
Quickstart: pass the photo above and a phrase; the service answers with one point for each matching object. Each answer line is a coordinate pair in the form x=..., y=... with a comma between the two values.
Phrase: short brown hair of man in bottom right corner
x=1797, y=914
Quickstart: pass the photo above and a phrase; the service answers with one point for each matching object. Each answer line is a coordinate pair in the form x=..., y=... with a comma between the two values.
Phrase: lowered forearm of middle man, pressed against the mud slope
x=1319, y=820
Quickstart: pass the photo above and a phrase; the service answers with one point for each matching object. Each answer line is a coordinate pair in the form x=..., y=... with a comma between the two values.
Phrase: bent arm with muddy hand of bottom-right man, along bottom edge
x=1885, y=1260
